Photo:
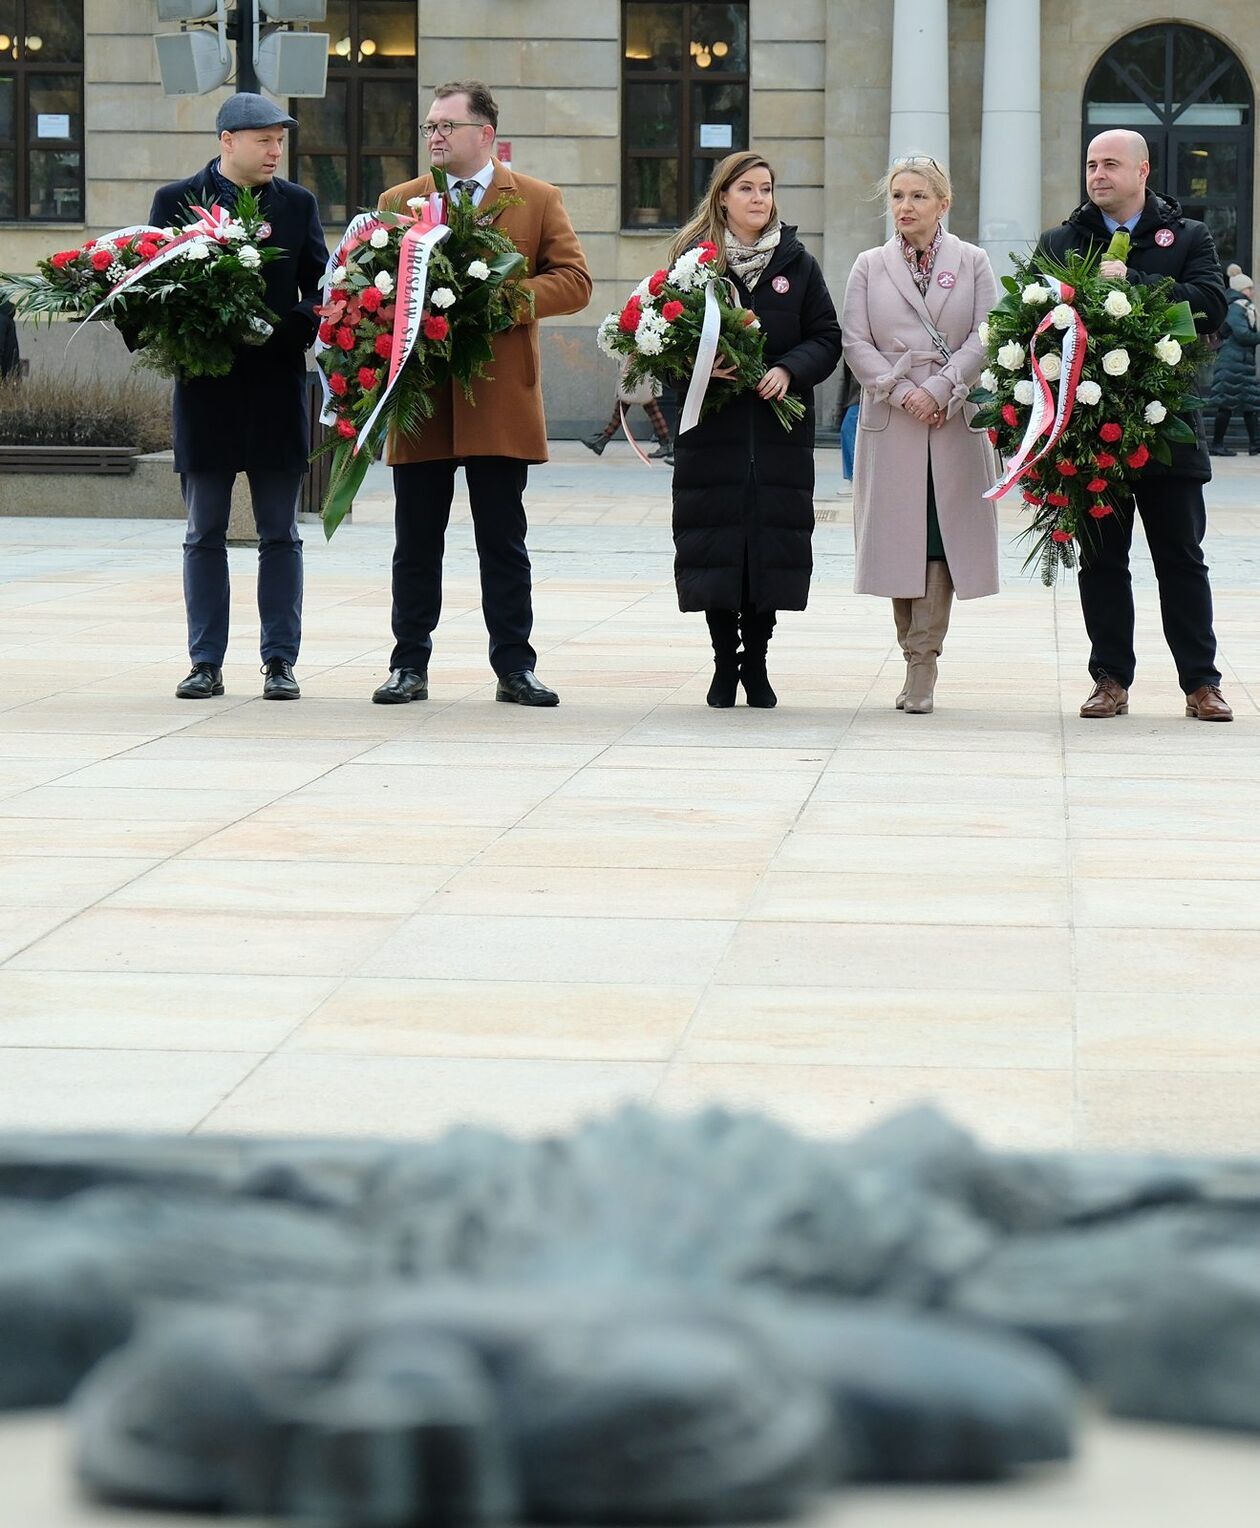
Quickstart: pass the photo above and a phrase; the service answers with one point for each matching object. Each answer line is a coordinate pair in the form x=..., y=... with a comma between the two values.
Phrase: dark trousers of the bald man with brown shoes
x=1175, y=522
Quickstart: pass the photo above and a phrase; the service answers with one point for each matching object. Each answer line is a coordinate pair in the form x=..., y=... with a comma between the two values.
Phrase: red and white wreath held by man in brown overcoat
x=413, y=302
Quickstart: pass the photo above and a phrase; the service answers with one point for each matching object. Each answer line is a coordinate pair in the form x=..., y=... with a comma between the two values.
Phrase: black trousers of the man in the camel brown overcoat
x=422, y=510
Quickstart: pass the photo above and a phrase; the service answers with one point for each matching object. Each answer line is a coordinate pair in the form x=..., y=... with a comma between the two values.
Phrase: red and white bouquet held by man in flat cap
x=189, y=297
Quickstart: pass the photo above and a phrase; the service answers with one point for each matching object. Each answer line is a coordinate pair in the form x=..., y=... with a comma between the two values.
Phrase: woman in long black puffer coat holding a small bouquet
x=743, y=485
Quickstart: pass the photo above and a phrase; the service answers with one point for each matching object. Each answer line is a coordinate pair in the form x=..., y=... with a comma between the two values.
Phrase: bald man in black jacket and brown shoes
x=1166, y=245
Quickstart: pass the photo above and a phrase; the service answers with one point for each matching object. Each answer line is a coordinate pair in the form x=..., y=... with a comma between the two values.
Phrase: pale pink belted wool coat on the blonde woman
x=891, y=354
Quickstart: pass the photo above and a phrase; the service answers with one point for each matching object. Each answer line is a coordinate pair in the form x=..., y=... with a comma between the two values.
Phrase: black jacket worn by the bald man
x=1189, y=261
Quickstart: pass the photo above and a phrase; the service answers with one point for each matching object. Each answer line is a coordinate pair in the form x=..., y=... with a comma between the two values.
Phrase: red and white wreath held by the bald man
x=1087, y=383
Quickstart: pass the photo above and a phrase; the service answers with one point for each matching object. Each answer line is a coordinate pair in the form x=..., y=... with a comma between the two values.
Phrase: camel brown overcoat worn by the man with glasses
x=506, y=415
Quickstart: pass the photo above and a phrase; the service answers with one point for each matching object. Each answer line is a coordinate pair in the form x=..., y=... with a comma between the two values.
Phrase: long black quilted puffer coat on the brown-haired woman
x=743, y=485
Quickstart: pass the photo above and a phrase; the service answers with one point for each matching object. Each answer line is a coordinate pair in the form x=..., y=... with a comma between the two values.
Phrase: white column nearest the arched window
x=1012, y=131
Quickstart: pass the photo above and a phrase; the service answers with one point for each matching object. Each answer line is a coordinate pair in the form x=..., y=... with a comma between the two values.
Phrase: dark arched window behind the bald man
x=1192, y=100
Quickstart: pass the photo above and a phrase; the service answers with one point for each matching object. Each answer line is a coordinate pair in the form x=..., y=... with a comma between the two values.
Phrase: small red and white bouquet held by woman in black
x=677, y=323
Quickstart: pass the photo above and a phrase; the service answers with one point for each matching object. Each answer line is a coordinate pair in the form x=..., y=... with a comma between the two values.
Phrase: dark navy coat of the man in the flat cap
x=256, y=418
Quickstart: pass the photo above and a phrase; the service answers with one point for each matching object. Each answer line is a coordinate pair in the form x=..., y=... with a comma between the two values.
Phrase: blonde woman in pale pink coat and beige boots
x=922, y=526
